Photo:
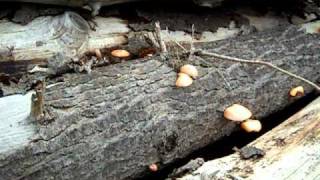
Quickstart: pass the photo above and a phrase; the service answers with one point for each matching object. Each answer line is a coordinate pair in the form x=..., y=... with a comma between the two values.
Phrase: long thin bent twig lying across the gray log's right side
x=234, y=59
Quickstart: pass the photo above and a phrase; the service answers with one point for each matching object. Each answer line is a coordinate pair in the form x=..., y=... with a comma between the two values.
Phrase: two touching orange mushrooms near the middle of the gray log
x=186, y=75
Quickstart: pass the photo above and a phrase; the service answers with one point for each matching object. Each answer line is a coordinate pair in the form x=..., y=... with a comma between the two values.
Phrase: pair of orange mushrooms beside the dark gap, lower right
x=239, y=113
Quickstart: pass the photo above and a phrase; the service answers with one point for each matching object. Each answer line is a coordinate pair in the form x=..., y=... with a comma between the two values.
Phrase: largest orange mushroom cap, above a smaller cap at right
x=237, y=112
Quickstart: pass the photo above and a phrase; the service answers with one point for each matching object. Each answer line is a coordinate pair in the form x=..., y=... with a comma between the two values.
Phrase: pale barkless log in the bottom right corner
x=291, y=152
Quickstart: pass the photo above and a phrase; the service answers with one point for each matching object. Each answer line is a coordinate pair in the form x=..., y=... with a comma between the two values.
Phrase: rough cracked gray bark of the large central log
x=115, y=122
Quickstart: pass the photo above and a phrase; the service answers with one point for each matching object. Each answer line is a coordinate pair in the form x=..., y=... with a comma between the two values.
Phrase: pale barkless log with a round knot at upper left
x=68, y=34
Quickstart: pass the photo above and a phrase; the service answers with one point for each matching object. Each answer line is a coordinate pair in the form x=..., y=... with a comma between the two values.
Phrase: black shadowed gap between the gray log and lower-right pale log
x=224, y=146
